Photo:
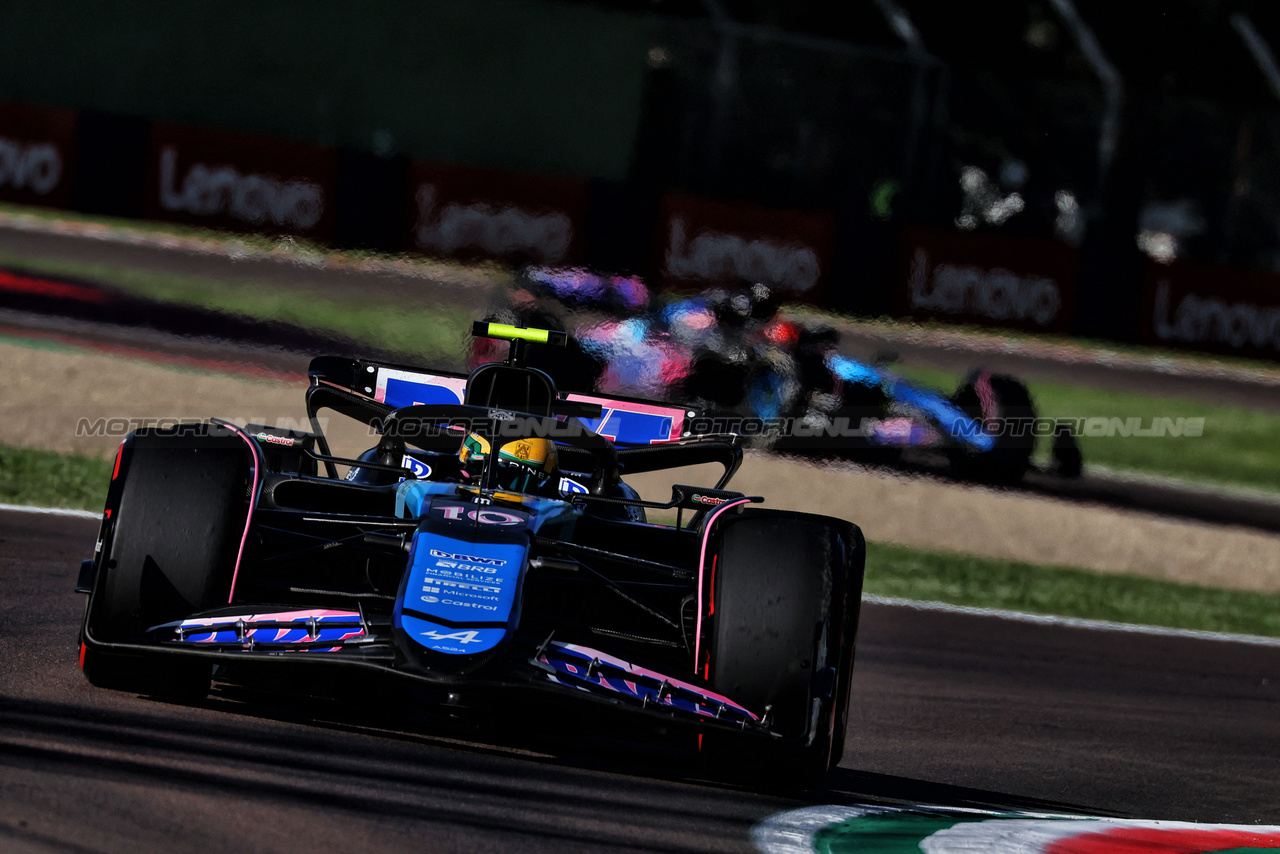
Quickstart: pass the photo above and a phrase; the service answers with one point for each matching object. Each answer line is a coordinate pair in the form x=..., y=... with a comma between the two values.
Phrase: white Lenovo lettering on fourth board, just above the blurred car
x=716, y=257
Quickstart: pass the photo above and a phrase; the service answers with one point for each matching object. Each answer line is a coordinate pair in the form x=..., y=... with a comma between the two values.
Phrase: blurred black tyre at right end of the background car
x=998, y=400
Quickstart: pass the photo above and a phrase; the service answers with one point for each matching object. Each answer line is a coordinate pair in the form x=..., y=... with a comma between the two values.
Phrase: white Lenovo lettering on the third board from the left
x=496, y=230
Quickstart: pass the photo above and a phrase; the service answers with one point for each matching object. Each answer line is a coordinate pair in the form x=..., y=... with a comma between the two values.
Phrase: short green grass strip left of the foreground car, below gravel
x=48, y=479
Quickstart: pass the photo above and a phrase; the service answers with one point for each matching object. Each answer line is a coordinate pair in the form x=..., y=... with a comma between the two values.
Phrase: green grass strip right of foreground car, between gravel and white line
x=988, y=583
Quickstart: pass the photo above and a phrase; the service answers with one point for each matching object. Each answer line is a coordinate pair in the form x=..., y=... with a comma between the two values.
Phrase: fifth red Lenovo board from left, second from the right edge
x=989, y=280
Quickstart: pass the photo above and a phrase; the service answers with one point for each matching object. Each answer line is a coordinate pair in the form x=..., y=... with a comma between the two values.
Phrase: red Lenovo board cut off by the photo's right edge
x=1213, y=309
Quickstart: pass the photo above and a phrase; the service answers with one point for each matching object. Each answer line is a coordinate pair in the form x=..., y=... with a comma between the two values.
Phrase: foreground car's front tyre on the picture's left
x=170, y=551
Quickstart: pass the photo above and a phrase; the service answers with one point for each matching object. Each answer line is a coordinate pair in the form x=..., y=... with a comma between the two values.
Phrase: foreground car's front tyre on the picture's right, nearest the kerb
x=784, y=619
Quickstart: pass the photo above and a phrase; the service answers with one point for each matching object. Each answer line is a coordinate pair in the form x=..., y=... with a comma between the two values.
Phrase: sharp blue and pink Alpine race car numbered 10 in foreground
x=488, y=549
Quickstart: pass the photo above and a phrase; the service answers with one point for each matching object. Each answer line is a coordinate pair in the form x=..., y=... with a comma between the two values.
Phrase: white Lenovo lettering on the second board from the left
x=211, y=191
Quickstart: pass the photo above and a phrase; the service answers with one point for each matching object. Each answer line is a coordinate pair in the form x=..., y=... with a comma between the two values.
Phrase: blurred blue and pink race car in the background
x=730, y=355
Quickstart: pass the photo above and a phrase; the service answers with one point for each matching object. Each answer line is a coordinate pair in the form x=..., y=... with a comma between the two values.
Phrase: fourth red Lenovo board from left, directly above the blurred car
x=705, y=244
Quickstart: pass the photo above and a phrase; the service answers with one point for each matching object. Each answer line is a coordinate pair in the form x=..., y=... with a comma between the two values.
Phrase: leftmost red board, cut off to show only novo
x=38, y=154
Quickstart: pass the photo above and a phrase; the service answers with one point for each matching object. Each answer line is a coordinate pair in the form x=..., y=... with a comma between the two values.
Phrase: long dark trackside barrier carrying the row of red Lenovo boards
x=129, y=167
